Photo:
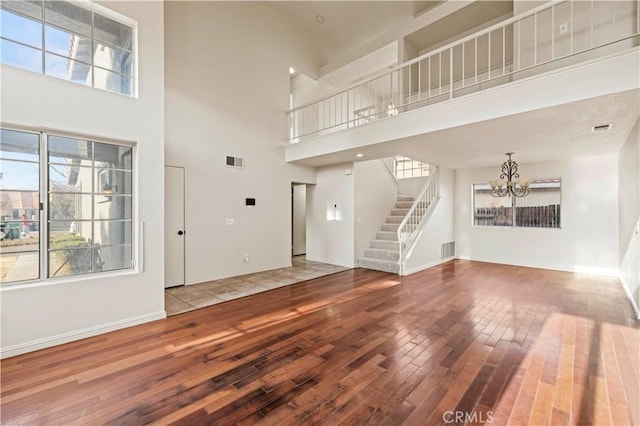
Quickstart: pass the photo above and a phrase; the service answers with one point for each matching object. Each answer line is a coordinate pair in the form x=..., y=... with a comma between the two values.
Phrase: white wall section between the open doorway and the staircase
x=331, y=241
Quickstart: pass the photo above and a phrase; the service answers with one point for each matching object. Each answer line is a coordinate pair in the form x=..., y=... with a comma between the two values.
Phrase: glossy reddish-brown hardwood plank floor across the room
x=464, y=342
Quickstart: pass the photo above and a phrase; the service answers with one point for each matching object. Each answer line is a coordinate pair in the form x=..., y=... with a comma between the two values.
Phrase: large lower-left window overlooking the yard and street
x=66, y=206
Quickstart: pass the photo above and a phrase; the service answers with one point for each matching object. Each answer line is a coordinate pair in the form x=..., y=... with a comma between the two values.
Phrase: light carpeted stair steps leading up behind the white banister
x=384, y=251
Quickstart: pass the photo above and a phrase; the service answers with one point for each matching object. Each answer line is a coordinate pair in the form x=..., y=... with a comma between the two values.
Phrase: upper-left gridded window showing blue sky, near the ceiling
x=64, y=40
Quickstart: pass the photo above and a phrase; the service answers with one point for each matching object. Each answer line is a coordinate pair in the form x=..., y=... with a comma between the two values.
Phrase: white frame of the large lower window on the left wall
x=44, y=244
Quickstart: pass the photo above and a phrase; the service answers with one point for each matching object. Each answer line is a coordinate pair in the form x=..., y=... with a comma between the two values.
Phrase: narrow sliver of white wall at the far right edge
x=629, y=216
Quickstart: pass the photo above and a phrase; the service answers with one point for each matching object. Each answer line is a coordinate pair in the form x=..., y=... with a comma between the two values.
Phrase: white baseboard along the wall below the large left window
x=47, y=342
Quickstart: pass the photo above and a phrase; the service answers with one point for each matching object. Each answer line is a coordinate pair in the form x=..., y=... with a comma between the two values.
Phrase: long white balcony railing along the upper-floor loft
x=551, y=36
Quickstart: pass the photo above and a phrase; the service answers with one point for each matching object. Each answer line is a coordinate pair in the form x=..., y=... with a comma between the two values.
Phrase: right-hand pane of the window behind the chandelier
x=541, y=208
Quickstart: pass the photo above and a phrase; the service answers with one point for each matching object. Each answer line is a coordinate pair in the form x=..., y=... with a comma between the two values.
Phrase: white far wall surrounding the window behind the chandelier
x=588, y=239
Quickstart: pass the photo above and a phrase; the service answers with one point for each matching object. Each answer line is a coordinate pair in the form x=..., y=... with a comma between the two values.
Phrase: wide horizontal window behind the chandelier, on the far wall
x=539, y=209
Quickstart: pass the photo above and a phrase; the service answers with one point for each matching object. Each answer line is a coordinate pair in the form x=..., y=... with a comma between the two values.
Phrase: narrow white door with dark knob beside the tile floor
x=174, y=232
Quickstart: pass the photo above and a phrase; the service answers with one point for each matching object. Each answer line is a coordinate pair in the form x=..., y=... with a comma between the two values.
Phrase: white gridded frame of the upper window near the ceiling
x=94, y=9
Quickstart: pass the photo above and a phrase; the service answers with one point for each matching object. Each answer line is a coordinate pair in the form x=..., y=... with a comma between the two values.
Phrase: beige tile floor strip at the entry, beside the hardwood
x=190, y=297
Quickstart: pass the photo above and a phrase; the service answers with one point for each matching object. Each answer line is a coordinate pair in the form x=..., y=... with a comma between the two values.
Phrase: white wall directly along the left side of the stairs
x=375, y=194
